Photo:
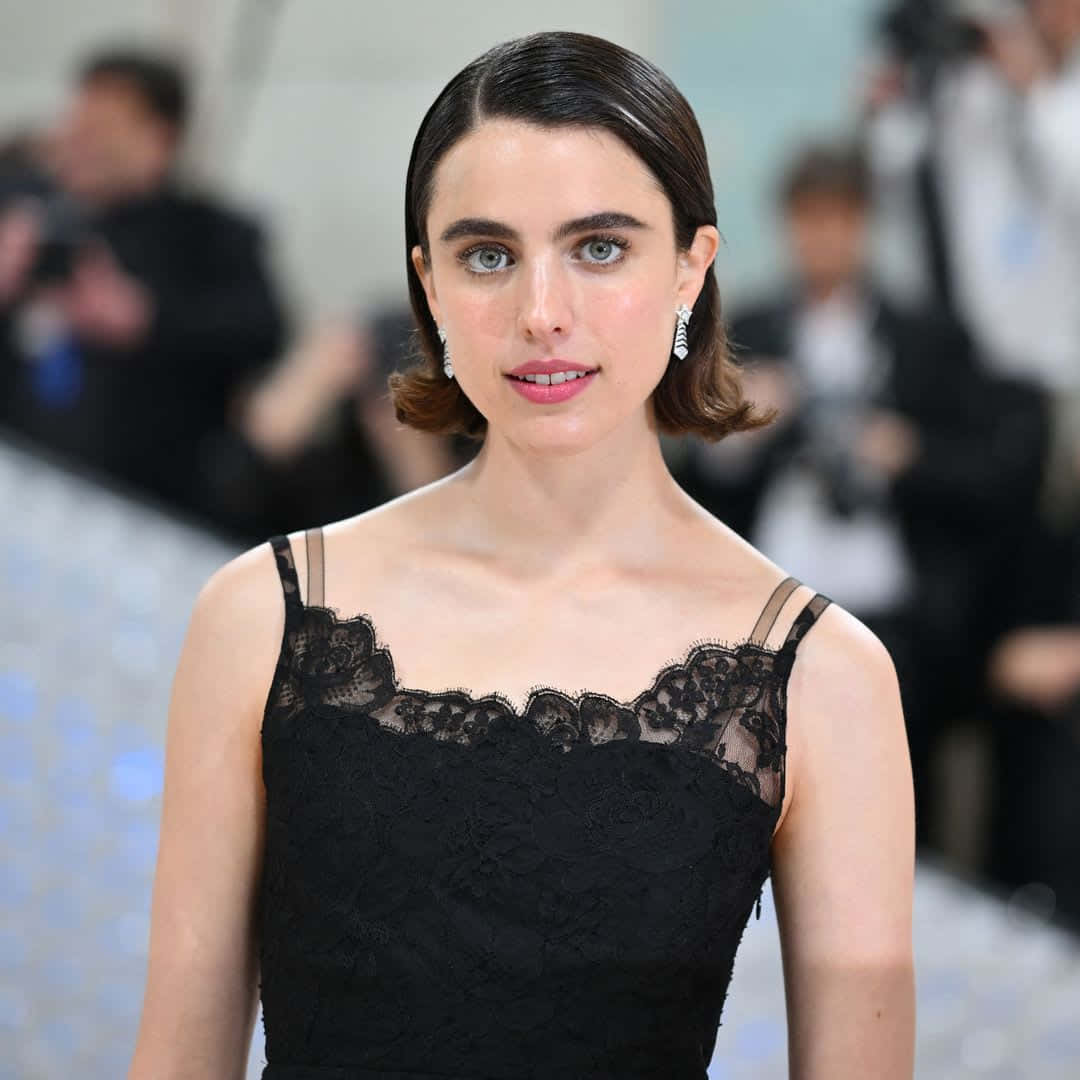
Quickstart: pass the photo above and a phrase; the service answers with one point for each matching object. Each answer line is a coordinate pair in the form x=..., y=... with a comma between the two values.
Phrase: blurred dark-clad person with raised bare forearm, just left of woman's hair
x=317, y=438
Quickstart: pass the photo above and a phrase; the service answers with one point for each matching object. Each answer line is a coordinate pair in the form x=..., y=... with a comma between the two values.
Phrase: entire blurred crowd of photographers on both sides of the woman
x=924, y=349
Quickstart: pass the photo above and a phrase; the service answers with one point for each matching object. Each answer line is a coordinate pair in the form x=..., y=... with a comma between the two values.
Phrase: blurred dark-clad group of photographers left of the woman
x=142, y=334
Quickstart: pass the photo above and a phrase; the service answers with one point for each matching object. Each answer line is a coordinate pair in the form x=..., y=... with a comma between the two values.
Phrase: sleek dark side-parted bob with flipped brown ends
x=566, y=79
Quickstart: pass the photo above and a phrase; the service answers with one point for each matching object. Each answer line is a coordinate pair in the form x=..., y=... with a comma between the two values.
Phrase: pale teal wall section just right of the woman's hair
x=764, y=76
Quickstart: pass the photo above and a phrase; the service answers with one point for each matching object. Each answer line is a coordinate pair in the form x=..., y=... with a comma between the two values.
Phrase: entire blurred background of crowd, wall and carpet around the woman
x=202, y=291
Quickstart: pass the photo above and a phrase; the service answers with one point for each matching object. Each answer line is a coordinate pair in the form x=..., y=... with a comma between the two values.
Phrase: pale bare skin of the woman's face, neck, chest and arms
x=530, y=566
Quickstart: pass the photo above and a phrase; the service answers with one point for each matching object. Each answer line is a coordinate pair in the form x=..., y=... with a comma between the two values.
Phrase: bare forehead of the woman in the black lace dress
x=524, y=174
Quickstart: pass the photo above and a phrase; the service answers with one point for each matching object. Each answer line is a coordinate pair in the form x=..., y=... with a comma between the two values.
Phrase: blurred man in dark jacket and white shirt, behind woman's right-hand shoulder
x=898, y=470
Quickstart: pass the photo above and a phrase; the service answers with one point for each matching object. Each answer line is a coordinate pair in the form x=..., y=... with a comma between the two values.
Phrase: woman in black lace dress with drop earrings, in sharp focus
x=508, y=880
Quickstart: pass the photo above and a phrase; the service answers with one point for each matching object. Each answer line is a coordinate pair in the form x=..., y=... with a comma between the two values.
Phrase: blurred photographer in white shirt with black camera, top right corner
x=976, y=114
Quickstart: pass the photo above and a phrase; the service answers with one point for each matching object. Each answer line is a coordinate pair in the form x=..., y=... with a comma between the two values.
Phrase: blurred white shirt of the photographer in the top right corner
x=1008, y=119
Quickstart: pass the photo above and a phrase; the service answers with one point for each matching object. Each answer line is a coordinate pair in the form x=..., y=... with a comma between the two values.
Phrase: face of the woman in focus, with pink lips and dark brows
x=556, y=248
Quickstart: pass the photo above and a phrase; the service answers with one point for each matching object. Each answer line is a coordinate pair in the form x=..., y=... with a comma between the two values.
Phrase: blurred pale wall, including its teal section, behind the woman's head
x=308, y=109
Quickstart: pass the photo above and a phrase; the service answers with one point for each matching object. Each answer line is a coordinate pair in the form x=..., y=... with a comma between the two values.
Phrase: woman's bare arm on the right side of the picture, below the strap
x=844, y=862
